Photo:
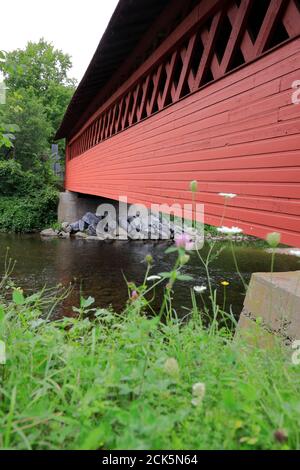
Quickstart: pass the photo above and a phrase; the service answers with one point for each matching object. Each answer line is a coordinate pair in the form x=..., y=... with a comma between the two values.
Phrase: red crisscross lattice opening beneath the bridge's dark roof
x=235, y=33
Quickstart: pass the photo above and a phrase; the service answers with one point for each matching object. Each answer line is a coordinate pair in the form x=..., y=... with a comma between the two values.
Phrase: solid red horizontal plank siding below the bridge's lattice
x=239, y=135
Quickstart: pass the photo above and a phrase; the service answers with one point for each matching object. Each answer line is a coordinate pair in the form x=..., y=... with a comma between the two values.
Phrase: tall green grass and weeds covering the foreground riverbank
x=104, y=383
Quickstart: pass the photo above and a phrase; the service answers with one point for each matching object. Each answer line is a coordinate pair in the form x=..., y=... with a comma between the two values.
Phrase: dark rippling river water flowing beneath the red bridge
x=97, y=268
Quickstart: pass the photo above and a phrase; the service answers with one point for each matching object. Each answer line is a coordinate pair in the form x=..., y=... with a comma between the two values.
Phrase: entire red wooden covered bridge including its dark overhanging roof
x=182, y=90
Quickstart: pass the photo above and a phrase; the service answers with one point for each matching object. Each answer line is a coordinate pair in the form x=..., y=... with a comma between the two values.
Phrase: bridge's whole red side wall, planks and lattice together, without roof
x=239, y=133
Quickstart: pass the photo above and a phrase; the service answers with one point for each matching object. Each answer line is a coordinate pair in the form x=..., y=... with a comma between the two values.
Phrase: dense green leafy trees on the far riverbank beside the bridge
x=39, y=91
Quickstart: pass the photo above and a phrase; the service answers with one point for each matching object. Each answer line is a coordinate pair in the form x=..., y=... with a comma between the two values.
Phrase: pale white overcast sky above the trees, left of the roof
x=74, y=26
